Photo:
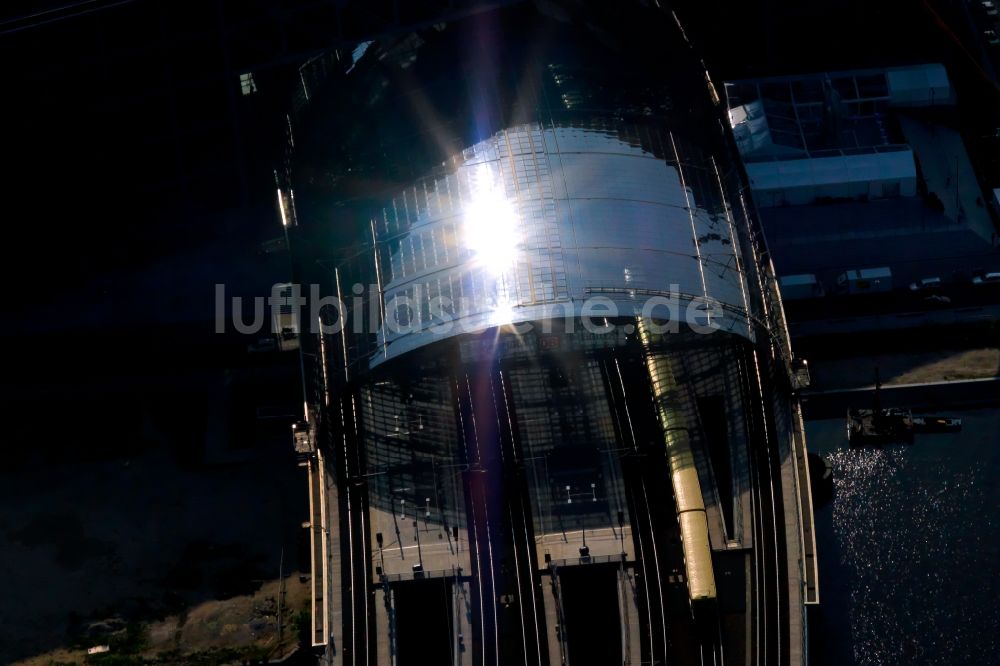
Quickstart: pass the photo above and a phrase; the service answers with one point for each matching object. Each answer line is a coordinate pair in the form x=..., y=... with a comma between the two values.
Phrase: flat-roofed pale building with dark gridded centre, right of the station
x=828, y=136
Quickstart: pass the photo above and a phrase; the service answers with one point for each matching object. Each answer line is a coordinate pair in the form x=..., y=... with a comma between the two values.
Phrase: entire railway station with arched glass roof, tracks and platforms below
x=550, y=402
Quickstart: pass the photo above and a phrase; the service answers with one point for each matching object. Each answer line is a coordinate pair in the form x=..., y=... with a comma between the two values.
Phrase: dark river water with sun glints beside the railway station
x=909, y=548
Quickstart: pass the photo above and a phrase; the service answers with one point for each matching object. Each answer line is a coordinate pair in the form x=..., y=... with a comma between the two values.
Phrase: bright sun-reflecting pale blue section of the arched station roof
x=582, y=212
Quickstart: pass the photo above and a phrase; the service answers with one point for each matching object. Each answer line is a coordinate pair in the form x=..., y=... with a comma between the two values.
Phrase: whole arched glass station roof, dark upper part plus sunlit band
x=476, y=182
